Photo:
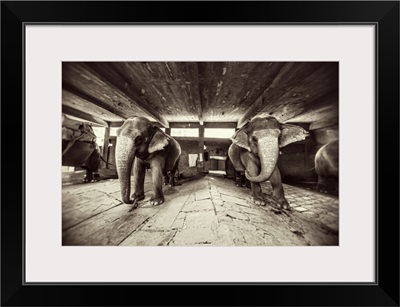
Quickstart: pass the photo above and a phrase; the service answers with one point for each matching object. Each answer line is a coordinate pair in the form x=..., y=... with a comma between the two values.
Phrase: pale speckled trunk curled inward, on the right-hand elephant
x=268, y=151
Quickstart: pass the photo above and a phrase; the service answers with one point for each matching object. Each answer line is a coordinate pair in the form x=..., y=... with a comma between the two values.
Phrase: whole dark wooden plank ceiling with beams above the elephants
x=167, y=92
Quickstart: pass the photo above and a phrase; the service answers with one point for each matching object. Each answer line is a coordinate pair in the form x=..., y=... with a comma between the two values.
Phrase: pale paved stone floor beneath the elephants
x=208, y=210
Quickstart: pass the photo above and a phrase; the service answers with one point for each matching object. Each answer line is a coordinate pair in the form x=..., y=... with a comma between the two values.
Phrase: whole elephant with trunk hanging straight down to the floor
x=140, y=143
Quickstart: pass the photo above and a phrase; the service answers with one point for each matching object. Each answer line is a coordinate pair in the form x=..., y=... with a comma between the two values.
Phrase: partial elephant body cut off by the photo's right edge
x=327, y=167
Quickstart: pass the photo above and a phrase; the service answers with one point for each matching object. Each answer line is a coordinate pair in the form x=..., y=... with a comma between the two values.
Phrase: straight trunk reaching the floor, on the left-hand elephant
x=124, y=158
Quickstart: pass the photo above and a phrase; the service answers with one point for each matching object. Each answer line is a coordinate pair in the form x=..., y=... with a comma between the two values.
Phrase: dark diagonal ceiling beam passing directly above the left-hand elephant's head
x=118, y=83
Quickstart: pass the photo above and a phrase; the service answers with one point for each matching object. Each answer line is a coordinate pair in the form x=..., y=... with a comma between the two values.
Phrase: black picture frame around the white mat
x=383, y=14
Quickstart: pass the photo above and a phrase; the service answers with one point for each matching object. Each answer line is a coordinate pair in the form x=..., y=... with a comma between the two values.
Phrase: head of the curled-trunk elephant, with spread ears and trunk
x=263, y=136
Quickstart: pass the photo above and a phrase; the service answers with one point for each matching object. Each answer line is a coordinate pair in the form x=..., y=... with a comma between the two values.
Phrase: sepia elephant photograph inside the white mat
x=200, y=154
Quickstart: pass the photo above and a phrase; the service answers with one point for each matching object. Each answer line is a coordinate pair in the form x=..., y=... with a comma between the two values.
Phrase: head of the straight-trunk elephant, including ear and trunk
x=137, y=137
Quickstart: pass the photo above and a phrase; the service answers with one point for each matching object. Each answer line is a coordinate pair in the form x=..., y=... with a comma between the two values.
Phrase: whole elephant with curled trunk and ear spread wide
x=255, y=151
